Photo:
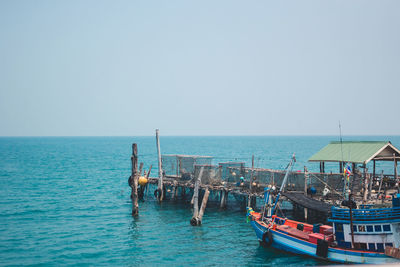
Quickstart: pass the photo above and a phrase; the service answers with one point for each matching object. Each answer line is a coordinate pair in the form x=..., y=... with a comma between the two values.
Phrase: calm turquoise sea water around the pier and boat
x=65, y=201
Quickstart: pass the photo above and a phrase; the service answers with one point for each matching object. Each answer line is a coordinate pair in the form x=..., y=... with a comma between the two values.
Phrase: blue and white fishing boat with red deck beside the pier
x=367, y=235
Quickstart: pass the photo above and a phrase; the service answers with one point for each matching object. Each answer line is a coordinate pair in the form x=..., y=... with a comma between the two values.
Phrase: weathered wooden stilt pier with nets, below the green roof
x=190, y=177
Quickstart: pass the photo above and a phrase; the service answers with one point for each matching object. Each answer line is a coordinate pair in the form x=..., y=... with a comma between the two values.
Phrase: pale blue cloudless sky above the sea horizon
x=199, y=67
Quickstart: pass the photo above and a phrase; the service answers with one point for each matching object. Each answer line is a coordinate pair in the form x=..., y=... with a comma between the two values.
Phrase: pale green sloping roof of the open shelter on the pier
x=357, y=152
